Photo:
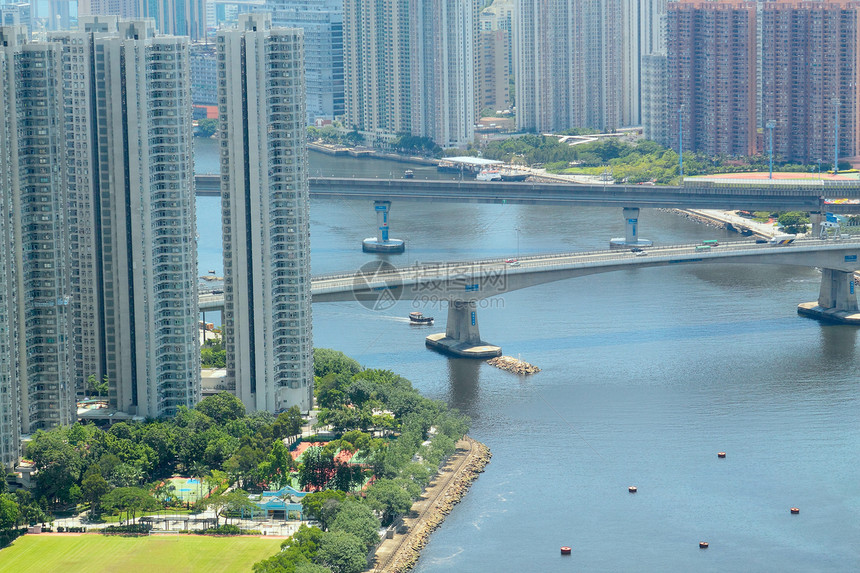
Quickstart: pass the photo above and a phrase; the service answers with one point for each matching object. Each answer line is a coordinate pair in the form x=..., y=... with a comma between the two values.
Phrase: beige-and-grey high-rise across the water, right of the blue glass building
x=409, y=68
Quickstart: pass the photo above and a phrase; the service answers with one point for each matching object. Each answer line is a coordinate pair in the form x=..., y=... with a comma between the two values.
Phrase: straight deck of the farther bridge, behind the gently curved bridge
x=757, y=195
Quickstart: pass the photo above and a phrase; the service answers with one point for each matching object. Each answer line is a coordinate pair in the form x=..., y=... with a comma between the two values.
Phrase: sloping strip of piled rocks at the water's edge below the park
x=409, y=552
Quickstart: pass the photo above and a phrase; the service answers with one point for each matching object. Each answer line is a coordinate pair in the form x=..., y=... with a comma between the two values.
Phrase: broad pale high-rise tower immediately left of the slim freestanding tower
x=132, y=213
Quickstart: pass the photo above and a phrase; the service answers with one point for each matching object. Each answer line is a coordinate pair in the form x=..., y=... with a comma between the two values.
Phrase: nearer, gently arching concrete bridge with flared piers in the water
x=463, y=284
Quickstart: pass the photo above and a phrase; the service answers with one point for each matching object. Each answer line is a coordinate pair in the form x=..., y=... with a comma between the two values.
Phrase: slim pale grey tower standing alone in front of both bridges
x=264, y=196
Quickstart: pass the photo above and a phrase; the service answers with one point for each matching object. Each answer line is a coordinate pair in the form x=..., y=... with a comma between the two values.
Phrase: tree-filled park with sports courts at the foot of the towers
x=395, y=440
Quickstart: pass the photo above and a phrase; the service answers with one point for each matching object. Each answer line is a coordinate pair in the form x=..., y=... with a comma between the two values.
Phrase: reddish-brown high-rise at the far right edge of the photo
x=810, y=53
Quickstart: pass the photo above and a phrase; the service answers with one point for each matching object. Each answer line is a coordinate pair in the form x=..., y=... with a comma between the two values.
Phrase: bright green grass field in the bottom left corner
x=156, y=554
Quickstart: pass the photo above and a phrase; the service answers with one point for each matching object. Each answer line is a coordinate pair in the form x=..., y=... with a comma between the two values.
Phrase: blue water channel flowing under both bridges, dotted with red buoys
x=647, y=374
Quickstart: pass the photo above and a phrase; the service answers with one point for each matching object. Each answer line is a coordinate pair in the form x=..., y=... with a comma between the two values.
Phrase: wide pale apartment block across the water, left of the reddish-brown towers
x=578, y=62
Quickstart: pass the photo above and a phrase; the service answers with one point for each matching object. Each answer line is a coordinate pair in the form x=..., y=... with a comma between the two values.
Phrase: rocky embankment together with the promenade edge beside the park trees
x=451, y=489
